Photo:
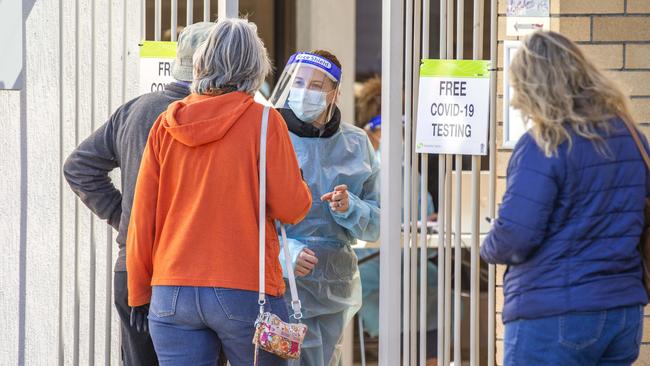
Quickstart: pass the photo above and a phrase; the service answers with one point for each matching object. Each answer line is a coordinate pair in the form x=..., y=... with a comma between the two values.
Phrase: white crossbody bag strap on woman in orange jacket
x=295, y=301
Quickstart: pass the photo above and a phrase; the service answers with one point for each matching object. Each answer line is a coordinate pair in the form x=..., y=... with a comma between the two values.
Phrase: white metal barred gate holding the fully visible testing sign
x=405, y=41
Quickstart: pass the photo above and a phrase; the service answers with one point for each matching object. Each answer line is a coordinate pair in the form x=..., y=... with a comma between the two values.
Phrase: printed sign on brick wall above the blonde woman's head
x=527, y=16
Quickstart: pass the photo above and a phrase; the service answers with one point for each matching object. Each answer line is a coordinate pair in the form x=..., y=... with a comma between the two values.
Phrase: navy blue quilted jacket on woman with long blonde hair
x=568, y=228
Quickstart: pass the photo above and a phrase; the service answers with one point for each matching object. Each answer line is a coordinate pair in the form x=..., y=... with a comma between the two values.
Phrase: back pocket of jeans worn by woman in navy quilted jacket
x=582, y=329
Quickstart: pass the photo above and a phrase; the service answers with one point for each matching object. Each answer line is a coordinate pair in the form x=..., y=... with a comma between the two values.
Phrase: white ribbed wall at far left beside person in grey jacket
x=42, y=227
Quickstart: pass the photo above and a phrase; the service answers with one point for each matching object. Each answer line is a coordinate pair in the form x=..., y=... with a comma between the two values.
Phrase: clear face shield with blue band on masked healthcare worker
x=309, y=86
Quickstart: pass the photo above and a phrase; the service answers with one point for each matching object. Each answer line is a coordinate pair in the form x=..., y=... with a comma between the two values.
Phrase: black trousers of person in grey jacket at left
x=136, y=348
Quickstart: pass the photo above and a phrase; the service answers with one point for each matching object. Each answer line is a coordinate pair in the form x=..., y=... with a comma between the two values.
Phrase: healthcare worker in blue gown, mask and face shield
x=339, y=165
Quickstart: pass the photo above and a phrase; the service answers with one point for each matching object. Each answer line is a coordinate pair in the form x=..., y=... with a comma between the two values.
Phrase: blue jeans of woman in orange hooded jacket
x=189, y=325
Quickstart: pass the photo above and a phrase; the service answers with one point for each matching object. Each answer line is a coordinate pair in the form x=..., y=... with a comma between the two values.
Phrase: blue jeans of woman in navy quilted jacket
x=610, y=337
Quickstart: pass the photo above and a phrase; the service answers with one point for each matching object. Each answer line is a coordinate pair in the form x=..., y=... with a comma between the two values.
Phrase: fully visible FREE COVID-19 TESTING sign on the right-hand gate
x=453, y=107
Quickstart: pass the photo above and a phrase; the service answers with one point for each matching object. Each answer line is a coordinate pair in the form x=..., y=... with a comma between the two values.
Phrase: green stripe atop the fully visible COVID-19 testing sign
x=455, y=68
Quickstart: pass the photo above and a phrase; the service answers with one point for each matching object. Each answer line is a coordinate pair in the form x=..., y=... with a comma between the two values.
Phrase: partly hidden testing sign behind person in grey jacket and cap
x=156, y=60
